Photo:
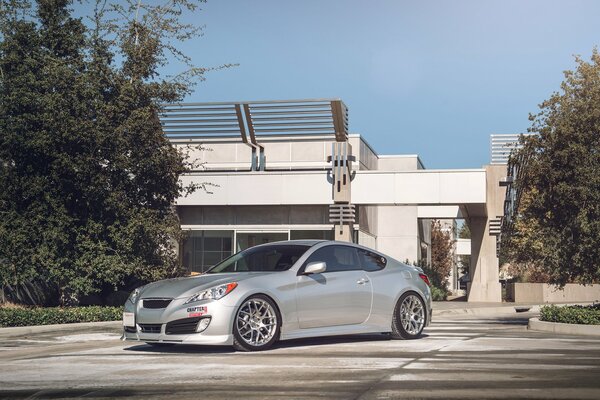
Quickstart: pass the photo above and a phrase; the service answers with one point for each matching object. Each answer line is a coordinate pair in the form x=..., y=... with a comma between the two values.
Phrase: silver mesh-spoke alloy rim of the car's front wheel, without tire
x=256, y=322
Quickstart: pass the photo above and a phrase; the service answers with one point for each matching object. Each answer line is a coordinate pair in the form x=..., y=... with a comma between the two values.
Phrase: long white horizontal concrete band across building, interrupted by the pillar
x=313, y=187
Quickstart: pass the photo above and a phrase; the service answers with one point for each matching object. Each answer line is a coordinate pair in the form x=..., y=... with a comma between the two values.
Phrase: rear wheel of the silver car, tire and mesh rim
x=410, y=317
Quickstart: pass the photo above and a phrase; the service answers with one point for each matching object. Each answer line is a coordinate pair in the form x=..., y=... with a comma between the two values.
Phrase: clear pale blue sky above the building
x=434, y=78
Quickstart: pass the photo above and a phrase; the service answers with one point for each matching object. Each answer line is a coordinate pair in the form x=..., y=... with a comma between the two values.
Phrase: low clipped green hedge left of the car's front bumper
x=11, y=316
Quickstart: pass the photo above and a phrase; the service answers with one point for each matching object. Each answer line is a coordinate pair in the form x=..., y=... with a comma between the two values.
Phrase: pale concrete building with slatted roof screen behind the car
x=283, y=170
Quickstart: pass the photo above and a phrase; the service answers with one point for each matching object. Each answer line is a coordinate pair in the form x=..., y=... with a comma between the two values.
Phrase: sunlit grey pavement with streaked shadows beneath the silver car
x=466, y=357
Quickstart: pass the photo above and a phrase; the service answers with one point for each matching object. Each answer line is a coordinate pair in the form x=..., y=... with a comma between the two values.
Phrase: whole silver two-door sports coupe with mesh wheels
x=280, y=291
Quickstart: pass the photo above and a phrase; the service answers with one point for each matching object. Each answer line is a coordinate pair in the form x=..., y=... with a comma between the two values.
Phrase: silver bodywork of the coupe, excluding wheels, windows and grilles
x=326, y=304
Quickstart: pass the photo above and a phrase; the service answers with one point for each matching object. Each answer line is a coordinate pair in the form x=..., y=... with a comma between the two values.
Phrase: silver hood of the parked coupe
x=182, y=287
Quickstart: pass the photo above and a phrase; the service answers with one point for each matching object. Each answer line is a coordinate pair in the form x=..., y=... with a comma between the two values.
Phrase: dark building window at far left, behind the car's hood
x=203, y=249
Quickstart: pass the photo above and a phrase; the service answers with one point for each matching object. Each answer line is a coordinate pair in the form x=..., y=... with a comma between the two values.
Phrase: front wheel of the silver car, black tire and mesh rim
x=256, y=325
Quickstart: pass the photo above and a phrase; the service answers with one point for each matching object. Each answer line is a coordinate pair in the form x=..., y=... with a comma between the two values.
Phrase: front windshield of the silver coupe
x=272, y=258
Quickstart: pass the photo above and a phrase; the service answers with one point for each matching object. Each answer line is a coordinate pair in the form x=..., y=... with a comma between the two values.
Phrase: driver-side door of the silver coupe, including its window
x=341, y=295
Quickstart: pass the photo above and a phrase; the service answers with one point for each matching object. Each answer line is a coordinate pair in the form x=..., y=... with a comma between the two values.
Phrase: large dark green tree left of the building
x=87, y=177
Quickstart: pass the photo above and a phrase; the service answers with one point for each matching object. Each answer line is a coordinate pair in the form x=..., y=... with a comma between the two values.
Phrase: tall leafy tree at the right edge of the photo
x=557, y=229
